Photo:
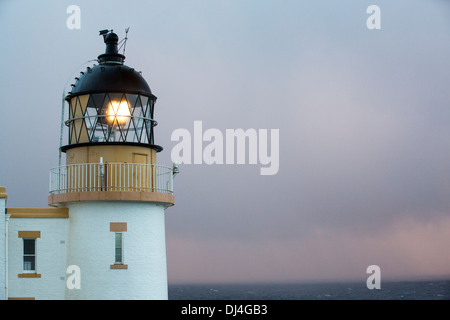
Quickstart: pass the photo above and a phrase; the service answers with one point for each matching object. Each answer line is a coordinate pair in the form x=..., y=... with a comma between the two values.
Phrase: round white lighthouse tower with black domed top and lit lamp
x=115, y=191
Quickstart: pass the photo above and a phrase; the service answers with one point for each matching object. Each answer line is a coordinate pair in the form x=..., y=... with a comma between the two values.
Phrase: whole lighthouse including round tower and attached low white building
x=103, y=234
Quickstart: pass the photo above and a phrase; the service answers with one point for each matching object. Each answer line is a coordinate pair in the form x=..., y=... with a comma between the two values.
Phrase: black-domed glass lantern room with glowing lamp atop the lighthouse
x=110, y=103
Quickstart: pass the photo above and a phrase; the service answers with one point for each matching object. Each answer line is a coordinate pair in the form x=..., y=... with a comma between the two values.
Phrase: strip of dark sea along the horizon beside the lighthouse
x=404, y=290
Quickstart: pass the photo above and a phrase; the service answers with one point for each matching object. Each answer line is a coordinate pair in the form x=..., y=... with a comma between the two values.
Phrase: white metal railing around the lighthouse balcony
x=86, y=177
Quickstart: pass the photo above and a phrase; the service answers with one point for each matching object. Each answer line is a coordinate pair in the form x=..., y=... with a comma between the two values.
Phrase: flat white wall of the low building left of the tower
x=51, y=253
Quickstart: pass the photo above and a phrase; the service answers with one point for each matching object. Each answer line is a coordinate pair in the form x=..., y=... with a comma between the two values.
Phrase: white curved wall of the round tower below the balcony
x=91, y=247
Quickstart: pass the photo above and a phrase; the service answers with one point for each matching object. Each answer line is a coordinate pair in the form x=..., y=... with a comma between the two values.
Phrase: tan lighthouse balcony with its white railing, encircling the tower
x=111, y=181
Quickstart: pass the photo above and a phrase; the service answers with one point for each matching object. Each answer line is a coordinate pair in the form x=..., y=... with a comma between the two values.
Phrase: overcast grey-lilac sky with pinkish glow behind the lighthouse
x=363, y=117
